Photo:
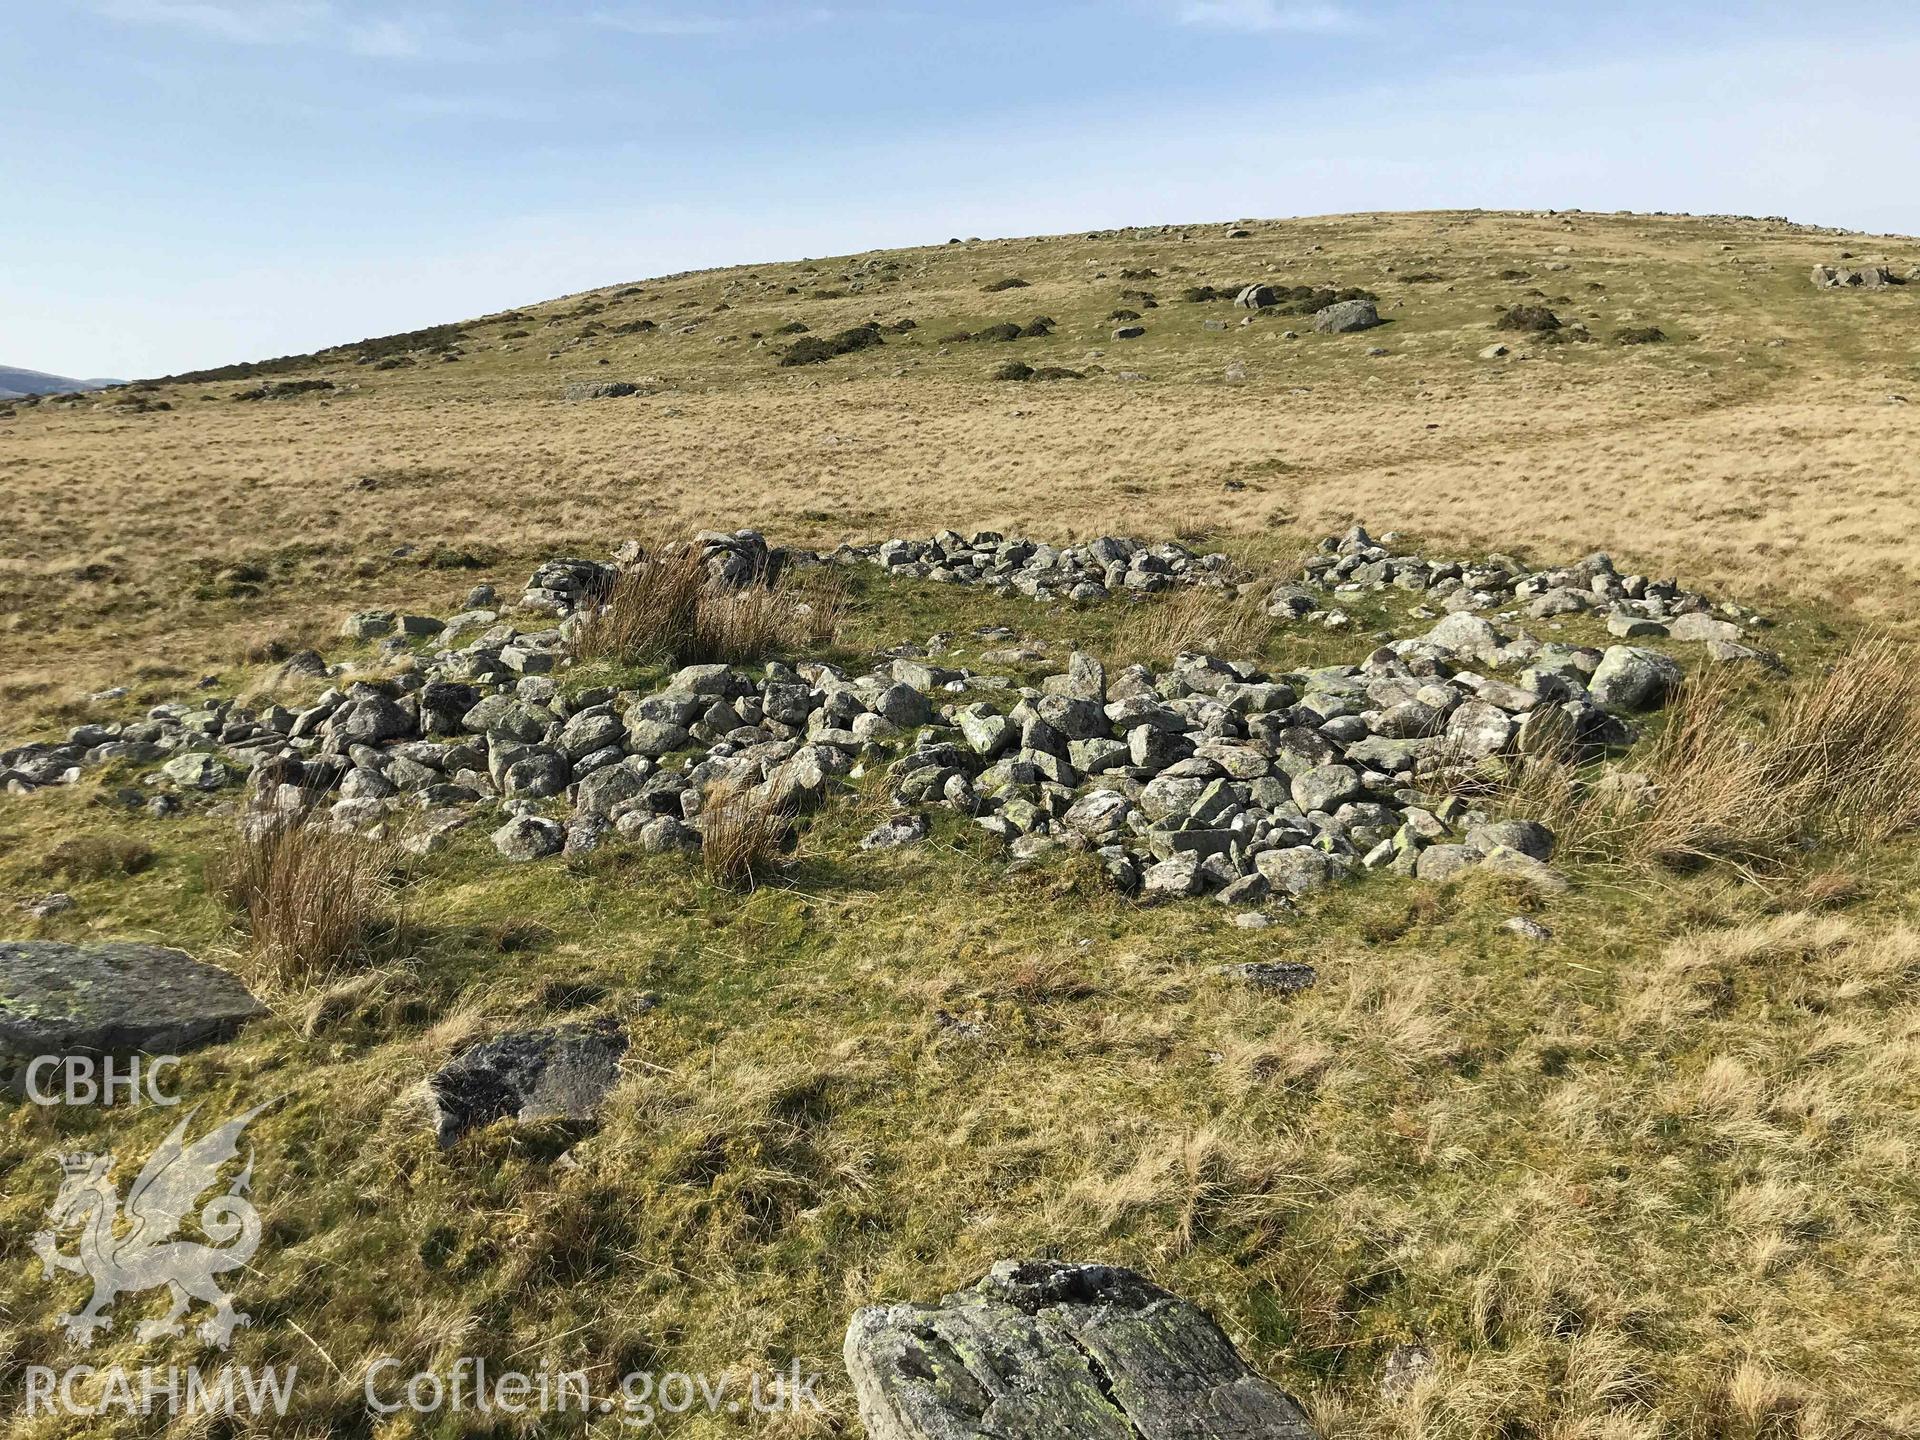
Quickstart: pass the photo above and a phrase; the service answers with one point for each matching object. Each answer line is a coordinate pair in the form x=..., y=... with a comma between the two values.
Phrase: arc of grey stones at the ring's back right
x=1635, y=608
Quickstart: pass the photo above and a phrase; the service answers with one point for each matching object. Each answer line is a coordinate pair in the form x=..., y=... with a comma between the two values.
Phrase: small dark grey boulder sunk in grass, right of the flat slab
x=535, y=1074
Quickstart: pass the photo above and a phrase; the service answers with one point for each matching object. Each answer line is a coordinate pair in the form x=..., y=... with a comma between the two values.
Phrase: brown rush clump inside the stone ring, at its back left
x=669, y=610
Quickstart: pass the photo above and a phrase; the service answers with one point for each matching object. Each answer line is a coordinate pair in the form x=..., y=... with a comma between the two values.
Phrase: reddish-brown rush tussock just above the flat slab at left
x=314, y=901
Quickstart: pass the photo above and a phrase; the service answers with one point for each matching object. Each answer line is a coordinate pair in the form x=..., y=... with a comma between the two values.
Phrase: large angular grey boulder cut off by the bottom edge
x=1055, y=1351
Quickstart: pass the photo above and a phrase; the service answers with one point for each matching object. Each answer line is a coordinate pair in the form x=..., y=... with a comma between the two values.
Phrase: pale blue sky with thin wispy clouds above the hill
x=189, y=183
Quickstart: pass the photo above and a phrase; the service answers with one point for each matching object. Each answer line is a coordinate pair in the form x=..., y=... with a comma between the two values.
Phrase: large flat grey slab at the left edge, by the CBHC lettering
x=116, y=997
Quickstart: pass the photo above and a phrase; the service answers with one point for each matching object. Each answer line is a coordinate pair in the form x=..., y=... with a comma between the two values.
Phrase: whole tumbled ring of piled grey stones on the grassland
x=1207, y=779
